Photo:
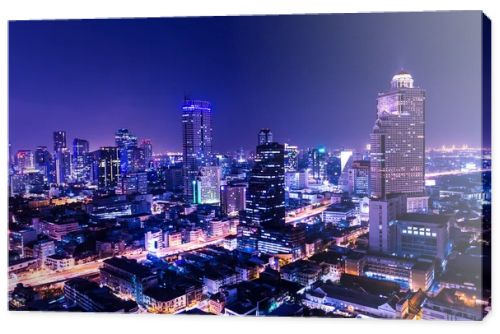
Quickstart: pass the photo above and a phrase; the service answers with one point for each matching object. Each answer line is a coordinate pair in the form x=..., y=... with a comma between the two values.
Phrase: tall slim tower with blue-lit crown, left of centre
x=196, y=141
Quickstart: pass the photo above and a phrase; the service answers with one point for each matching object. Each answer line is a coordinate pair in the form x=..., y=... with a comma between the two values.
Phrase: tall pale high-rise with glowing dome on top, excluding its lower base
x=397, y=141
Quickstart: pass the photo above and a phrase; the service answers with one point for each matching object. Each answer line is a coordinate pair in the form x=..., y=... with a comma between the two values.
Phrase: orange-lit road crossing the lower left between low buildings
x=45, y=276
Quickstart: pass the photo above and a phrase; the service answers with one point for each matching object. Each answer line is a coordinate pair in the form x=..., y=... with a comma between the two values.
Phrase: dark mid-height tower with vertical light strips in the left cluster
x=108, y=167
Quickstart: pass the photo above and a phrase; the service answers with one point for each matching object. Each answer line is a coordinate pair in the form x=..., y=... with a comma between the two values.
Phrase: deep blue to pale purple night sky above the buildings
x=312, y=79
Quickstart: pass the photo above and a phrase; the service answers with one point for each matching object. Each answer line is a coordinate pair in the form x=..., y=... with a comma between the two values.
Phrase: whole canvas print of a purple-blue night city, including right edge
x=333, y=165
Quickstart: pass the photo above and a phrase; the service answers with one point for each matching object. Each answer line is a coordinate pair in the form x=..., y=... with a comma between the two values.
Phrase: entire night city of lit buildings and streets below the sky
x=396, y=229
